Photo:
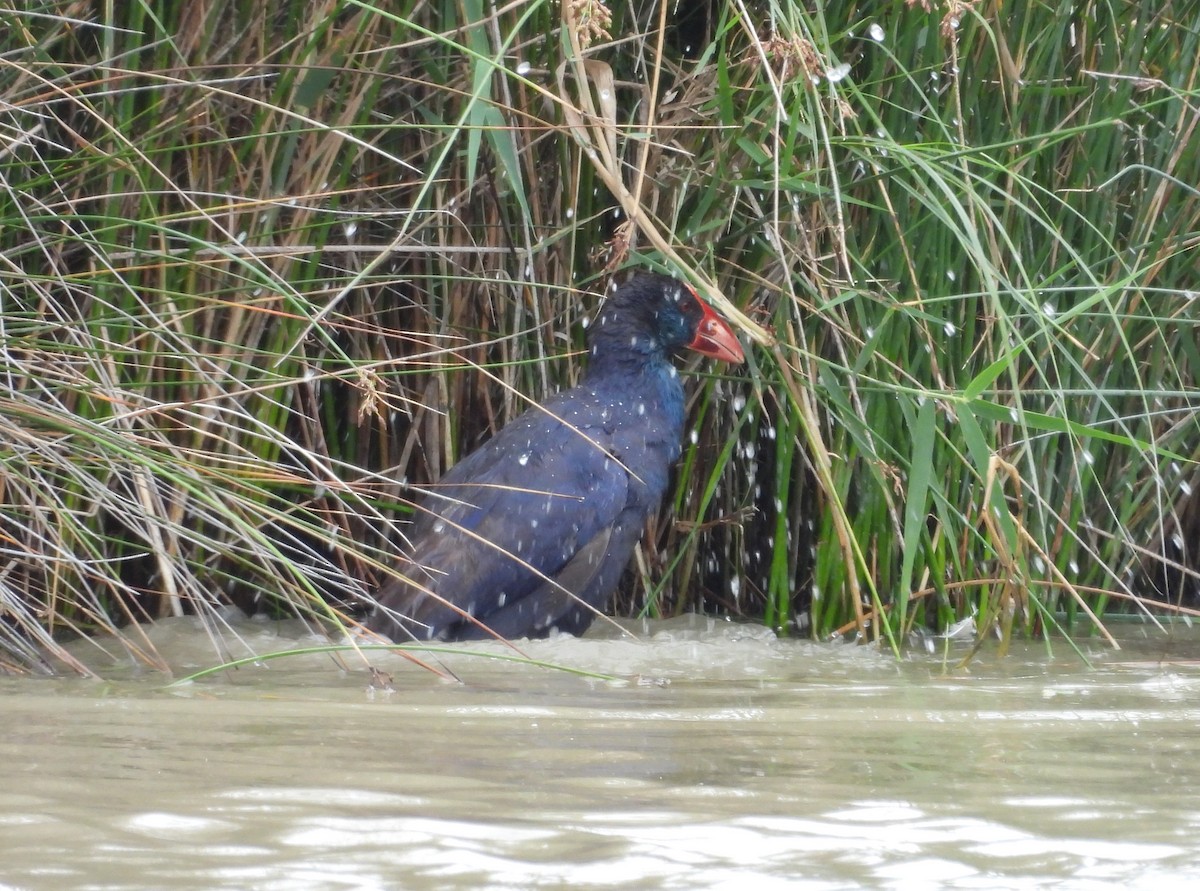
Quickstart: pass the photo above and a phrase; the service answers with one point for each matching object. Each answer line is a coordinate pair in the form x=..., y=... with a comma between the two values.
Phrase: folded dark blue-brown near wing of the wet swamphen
x=507, y=517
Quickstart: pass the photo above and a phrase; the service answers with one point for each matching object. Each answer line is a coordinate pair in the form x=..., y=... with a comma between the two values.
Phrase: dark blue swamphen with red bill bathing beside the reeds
x=530, y=535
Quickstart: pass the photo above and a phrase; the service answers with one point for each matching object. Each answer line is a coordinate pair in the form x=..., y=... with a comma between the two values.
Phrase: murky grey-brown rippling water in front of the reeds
x=724, y=760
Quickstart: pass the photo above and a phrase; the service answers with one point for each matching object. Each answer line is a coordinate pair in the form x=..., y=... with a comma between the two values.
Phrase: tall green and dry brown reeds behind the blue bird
x=267, y=271
